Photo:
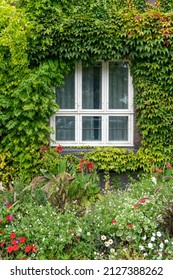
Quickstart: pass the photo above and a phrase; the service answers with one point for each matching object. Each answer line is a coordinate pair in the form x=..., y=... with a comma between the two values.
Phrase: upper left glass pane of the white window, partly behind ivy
x=65, y=96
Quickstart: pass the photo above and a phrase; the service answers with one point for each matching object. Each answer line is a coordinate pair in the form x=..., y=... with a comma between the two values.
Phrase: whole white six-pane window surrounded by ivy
x=96, y=106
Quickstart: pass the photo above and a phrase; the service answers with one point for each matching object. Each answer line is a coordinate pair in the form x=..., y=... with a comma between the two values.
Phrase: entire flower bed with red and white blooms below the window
x=87, y=224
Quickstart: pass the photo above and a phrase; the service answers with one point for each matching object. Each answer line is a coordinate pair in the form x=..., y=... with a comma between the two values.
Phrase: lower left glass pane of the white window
x=65, y=128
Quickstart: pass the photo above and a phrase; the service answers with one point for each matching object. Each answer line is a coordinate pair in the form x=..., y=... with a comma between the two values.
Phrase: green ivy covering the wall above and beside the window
x=41, y=40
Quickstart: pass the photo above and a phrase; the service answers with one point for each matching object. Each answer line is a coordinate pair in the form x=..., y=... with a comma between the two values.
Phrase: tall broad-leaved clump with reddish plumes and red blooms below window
x=77, y=188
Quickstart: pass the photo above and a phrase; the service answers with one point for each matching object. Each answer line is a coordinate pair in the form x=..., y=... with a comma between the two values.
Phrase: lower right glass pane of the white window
x=118, y=128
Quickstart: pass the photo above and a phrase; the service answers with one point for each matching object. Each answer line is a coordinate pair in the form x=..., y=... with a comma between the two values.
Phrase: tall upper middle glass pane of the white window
x=92, y=86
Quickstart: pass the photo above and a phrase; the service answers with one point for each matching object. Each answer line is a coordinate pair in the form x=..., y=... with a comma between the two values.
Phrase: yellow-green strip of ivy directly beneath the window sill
x=118, y=160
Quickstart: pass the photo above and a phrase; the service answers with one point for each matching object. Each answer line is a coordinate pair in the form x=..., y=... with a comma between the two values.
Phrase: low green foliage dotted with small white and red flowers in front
x=131, y=224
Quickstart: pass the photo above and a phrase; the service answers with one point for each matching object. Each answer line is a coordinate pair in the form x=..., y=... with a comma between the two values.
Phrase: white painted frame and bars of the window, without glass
x=105, y=112
